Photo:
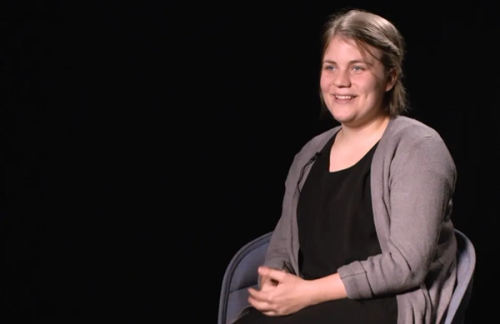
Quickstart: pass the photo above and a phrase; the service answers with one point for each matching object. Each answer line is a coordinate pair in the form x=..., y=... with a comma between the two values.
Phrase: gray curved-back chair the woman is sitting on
x=241, y=274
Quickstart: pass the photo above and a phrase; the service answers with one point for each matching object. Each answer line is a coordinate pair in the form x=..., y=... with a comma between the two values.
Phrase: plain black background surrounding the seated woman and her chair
x=144, y=142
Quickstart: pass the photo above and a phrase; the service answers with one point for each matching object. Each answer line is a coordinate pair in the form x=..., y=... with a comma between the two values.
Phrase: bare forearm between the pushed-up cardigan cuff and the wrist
x=325, y=289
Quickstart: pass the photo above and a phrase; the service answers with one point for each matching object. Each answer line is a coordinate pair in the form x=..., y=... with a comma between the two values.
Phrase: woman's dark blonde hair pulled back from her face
x=370, y=29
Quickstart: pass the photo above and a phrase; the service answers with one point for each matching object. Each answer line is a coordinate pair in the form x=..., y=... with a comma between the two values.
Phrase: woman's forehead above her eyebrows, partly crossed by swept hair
x=347, y=48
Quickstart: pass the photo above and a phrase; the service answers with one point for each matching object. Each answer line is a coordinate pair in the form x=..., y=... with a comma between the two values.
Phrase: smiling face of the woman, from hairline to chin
x=354, y=82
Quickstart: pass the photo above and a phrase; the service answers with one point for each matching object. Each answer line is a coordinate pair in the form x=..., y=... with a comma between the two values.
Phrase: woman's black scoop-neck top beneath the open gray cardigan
x=336, y=227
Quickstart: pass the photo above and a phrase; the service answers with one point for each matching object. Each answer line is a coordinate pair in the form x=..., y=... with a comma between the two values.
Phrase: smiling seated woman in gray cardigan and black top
x=365, y=234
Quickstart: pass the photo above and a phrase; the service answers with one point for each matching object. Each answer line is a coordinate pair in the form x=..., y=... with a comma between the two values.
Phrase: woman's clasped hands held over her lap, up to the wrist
x=290, y=295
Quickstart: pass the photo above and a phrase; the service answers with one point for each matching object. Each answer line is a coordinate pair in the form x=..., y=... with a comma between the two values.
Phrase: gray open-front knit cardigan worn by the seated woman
x=412, y=182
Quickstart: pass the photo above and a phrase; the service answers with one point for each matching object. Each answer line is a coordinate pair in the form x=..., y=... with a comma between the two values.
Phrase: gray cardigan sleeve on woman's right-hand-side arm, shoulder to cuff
x=421, y=186
